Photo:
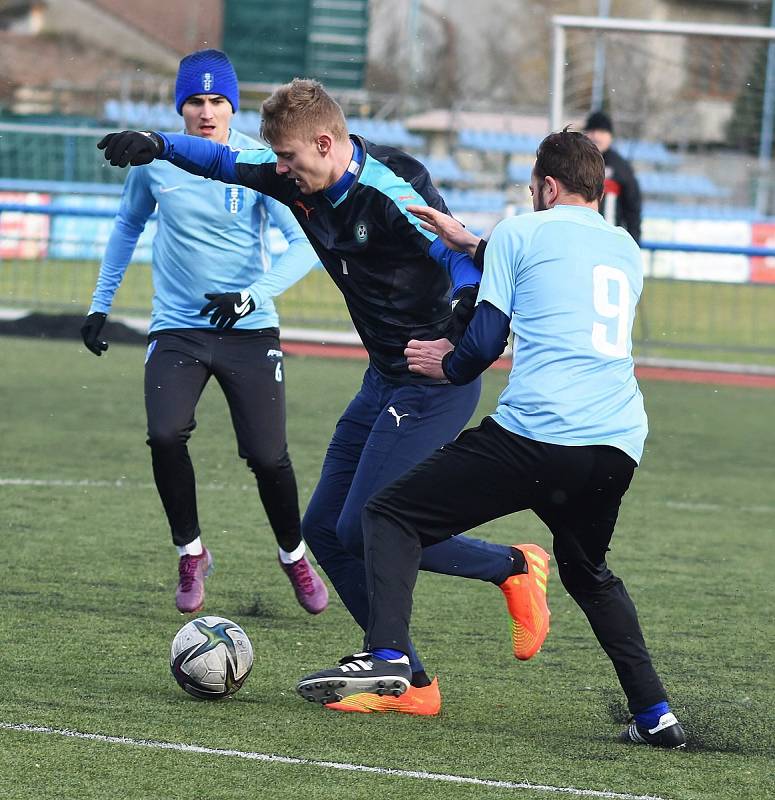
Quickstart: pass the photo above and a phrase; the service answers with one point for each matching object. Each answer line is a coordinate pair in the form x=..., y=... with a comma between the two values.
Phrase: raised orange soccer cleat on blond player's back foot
x=526, y=600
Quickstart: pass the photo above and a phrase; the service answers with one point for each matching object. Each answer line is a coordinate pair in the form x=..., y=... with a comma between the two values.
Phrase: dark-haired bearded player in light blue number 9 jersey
x=564, y=441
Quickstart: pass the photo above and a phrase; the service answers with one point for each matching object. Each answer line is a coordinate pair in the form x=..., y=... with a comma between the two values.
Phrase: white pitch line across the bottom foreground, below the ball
x=308, y=762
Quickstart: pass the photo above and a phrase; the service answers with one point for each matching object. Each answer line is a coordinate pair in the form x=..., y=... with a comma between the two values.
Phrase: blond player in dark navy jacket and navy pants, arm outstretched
x=350, y=197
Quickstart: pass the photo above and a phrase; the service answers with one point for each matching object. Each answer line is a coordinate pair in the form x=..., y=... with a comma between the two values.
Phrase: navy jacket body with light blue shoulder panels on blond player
x=376, y=253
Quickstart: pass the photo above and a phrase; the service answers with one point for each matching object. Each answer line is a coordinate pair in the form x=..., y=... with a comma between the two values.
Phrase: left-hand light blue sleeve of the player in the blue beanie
x=137, y=204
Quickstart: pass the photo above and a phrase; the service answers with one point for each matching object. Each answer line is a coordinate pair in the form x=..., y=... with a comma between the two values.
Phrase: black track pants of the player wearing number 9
x=487, y=473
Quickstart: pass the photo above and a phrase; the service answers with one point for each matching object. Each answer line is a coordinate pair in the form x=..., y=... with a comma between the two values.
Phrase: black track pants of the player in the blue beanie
x=248, y=366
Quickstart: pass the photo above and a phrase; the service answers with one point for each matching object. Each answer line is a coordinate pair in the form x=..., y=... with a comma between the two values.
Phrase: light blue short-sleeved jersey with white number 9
x=569, y=282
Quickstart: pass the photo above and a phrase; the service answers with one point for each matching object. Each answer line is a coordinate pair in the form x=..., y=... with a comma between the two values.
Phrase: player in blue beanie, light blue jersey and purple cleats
x=212, y=315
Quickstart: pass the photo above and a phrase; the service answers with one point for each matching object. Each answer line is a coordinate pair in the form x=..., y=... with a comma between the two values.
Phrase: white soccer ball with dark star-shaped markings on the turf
x=211, y=657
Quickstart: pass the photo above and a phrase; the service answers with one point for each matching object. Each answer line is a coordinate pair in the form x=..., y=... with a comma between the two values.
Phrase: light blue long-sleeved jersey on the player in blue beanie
x=211, y=237
